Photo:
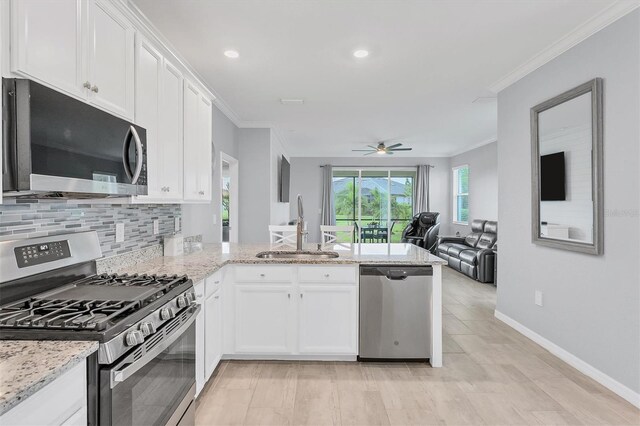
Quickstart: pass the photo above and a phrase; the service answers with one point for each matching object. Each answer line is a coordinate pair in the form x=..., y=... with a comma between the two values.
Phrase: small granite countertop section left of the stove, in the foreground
x=26, y=366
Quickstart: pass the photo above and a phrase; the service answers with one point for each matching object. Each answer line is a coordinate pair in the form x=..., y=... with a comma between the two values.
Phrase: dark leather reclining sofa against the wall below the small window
x=472, y=255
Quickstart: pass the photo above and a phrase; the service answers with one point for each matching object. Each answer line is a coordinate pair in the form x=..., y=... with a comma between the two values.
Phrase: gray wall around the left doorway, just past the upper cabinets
x=205, y=218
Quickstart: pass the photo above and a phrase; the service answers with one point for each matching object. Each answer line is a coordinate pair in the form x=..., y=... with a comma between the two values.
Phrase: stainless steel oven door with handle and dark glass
x=154, y=384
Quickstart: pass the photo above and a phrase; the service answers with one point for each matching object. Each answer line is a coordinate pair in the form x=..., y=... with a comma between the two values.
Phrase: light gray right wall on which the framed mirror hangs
x=591, y=303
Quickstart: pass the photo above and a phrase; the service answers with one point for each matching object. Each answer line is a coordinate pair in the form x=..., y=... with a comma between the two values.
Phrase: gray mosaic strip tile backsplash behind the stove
x=36, y=218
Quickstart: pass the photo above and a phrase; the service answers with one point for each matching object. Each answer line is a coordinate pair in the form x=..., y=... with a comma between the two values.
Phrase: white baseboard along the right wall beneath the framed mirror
x=580, y=365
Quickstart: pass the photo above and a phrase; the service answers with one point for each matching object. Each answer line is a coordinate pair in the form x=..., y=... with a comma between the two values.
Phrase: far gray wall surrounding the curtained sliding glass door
x=306, y=179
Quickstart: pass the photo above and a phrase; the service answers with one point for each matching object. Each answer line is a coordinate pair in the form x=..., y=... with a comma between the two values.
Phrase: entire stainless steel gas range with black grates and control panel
x=144, y=370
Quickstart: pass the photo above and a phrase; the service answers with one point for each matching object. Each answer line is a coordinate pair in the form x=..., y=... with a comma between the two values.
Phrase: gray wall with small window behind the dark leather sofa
x=483, y=184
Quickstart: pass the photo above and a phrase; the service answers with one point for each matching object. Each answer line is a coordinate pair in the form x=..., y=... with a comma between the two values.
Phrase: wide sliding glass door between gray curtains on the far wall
x=378, y=201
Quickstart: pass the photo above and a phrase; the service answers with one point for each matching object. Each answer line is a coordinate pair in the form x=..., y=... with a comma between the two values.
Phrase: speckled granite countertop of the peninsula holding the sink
x=203, y=263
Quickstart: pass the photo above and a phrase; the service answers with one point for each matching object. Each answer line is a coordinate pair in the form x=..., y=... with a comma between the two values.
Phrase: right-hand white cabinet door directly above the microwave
x=110, y=67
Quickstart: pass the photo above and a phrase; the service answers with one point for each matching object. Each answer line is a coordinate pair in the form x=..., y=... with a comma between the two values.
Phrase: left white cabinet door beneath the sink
x=263, y=318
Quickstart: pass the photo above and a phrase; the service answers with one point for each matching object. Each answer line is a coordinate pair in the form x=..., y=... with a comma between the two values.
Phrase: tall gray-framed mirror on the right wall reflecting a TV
x=566, y=164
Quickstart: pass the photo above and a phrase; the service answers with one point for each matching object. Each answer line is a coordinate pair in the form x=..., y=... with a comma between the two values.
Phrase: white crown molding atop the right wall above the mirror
x=606, y=17
